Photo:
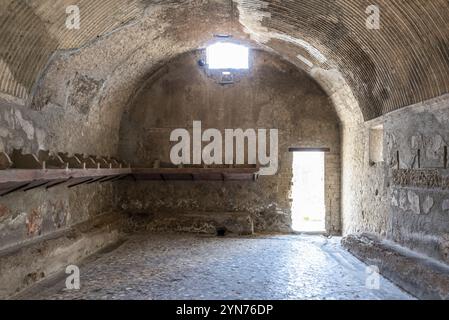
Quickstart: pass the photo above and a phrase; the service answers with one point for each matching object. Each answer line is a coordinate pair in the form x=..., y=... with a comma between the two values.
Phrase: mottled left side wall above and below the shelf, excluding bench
x=27, y=216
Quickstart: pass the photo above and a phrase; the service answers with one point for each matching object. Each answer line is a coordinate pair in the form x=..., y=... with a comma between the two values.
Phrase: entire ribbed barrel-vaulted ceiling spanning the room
x=405, y=62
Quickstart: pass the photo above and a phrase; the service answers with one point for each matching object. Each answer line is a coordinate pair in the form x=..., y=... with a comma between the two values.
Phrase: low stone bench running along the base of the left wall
x=24, y=266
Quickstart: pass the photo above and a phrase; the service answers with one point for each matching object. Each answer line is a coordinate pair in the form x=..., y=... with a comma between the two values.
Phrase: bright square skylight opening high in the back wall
x=225, y=55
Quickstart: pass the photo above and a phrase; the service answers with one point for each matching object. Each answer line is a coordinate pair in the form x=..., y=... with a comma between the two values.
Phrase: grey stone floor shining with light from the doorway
x=198, y=267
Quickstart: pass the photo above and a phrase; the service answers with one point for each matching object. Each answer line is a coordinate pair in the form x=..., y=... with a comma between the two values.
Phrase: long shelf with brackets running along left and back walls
x=27, y=172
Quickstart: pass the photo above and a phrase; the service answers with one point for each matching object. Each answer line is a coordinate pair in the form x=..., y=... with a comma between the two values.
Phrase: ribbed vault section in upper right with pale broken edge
x=404, y=62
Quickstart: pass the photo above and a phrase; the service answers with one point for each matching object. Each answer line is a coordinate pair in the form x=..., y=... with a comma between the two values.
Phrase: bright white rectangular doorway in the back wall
x=308, y=207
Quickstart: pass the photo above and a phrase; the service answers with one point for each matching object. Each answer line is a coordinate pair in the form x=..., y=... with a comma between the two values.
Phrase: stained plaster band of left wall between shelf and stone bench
x=27, y=217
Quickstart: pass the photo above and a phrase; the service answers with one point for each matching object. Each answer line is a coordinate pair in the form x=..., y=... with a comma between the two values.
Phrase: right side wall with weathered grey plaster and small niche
x=405, y=198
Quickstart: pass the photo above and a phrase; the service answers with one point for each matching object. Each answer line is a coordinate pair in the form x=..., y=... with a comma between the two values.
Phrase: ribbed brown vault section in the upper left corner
x=31, y=31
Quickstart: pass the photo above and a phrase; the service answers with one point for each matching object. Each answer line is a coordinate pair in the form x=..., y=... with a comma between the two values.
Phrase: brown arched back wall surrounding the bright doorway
x=273, y=95
